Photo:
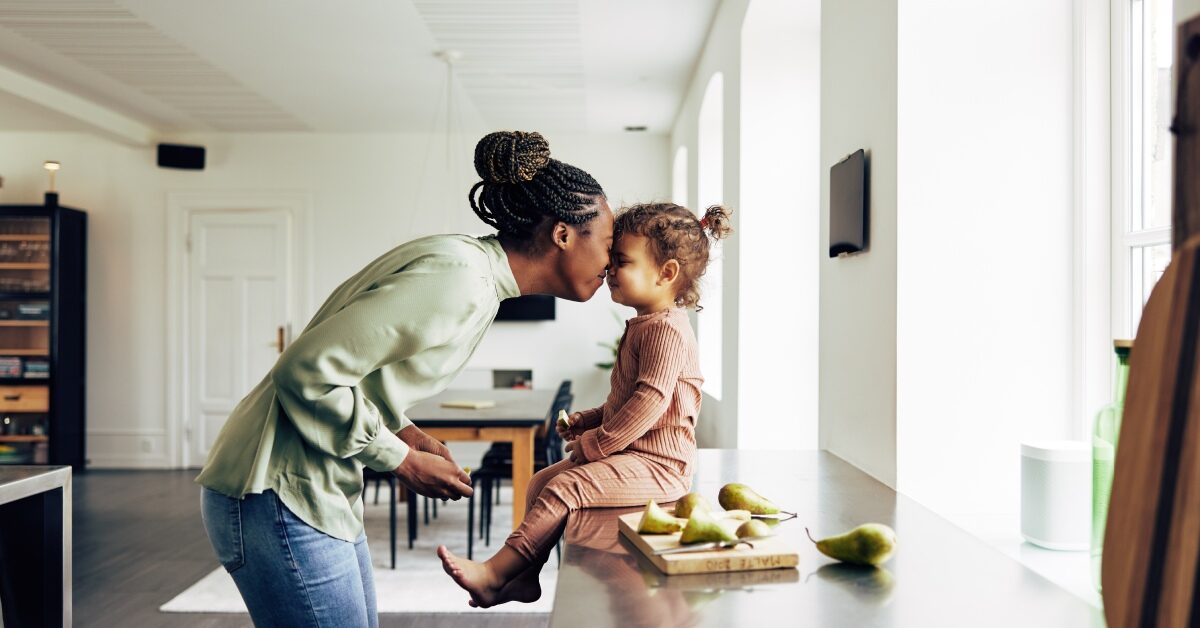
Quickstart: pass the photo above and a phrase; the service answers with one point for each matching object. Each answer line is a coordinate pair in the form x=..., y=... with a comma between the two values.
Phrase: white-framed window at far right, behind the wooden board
x=1144, y=234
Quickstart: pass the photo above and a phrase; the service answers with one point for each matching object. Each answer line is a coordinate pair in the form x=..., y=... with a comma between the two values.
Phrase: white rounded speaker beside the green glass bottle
x=1057, y=494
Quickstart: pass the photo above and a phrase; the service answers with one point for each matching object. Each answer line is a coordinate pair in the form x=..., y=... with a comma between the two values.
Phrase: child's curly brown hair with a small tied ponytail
x=676, y=234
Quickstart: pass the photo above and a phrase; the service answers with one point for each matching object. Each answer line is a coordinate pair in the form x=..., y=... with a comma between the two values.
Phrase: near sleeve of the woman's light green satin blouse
x=316, y=379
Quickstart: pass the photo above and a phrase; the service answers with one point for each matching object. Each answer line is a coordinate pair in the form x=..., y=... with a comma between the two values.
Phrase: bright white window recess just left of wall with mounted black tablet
x=779, y=225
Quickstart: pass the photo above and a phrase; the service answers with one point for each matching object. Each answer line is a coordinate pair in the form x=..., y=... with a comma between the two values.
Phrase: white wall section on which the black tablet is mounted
x=859, y=294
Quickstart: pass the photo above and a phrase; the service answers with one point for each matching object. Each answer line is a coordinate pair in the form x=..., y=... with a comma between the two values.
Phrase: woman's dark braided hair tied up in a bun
x=523, y=187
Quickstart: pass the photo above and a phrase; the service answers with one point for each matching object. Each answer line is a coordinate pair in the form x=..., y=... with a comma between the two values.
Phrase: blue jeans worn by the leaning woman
x=289, y=572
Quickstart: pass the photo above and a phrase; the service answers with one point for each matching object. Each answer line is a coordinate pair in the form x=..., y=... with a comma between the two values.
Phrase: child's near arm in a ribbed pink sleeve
x=661, y=362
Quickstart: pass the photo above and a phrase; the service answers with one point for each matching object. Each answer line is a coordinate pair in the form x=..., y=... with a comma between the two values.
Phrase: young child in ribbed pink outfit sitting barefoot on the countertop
x=641, y=445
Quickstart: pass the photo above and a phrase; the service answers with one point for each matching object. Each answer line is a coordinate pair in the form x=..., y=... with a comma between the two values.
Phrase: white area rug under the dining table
x=418, y=584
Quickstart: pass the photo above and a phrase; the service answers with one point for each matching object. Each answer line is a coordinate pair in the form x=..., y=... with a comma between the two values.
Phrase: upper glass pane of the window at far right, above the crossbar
x=1154, y=58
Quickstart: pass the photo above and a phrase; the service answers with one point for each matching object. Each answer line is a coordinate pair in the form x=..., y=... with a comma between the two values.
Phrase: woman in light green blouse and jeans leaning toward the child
x=284, y=482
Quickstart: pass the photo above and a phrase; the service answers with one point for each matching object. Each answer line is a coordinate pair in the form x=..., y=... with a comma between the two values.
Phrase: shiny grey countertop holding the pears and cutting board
x=940, y=576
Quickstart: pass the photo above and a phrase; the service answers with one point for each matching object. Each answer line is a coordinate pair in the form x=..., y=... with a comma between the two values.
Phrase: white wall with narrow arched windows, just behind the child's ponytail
x=722, y=53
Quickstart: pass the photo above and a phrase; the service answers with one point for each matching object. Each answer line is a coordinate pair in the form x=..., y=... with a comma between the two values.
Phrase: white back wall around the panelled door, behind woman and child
x=370, y=193
